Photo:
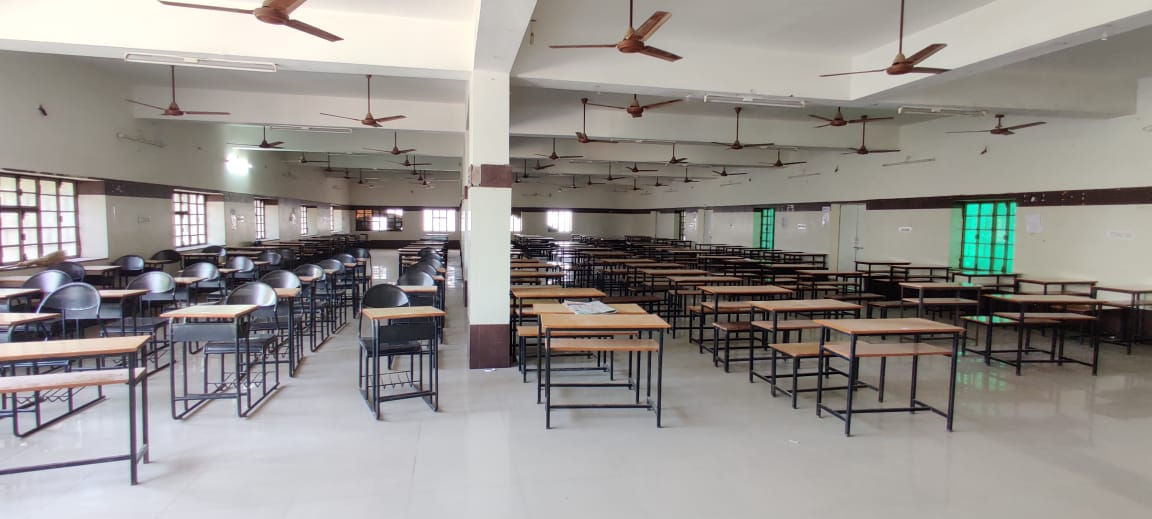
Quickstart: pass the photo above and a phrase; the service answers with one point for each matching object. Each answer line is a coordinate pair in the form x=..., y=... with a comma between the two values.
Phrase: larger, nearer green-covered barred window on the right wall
x=989, y=236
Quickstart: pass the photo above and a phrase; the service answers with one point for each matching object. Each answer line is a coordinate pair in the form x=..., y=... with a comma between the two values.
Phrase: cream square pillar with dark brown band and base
x=486, y=225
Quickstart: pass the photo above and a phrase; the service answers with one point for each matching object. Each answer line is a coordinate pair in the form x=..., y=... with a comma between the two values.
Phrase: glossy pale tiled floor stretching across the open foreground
x=1056, y=442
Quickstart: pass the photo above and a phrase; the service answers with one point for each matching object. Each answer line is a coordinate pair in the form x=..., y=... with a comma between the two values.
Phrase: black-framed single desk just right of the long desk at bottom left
x=217, y=324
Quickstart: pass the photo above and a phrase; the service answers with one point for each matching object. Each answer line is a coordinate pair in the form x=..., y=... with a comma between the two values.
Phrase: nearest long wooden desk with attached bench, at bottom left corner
x=128, y=347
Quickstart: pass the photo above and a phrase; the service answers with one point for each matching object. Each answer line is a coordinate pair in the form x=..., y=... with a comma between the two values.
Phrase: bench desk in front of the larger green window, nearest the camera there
x=1025, y=302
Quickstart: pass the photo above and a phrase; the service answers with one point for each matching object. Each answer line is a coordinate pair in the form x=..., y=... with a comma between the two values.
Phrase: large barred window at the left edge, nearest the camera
x=37, y=218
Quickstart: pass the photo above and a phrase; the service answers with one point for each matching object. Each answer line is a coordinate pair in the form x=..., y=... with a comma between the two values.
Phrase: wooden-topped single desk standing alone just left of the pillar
x=370, y=377
